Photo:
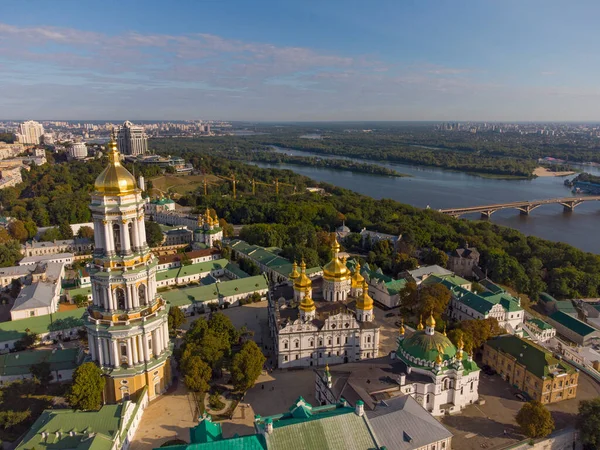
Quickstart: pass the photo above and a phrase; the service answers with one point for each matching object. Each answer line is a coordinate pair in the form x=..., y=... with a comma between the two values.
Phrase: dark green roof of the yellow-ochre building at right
x=536, y=359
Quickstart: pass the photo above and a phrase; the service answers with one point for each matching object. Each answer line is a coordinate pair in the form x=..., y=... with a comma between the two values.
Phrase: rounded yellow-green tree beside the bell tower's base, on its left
x=87, y=388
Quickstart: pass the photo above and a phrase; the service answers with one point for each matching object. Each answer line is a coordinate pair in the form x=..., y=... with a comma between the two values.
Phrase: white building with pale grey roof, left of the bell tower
x=41, y=297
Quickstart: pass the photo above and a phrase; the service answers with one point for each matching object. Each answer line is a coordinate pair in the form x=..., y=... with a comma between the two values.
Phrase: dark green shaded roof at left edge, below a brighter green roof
x=20, y=363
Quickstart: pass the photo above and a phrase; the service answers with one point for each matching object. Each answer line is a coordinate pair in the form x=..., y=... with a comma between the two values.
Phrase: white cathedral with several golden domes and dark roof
x=330, y=325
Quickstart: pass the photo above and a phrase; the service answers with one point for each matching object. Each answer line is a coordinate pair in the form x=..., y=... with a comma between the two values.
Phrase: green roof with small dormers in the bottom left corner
x=104, y=423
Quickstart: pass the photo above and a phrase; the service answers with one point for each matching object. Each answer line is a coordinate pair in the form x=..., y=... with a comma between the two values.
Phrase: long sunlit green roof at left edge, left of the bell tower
x=15, y=329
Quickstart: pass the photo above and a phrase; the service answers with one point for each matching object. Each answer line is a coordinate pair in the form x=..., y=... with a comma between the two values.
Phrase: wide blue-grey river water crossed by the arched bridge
x=442, y=189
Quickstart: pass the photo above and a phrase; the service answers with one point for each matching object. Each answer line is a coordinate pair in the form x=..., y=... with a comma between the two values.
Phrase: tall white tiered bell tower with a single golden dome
x=127, y=326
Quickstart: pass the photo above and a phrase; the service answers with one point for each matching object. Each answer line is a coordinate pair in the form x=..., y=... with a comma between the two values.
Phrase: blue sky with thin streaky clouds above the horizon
x=309, y=60
